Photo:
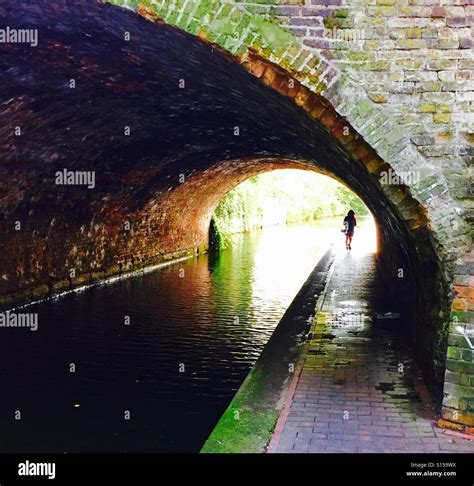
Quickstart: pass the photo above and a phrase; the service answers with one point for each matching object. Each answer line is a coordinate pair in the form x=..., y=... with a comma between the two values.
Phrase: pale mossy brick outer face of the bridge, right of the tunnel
x=400, y=71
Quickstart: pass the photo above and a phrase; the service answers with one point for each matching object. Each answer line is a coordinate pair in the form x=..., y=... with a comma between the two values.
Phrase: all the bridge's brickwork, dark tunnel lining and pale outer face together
x=398, y=99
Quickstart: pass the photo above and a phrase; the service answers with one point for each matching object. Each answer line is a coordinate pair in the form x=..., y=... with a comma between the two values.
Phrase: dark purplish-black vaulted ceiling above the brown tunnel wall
x=136, y=84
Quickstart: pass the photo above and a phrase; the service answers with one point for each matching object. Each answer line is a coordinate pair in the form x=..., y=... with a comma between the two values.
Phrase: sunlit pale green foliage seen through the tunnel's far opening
x=280, y=197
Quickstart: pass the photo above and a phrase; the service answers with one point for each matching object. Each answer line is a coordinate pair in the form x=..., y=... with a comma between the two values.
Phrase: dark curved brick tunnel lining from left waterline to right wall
x=162, y=124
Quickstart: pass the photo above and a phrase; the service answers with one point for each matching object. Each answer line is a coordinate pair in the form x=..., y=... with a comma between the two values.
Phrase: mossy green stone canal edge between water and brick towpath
x=252, y=417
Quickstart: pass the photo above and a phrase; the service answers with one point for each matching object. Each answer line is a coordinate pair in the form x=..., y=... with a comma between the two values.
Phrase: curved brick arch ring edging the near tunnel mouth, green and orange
x=339, y=101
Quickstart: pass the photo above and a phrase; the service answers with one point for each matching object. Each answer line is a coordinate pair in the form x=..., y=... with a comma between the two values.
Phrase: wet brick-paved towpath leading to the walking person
x=353, y=390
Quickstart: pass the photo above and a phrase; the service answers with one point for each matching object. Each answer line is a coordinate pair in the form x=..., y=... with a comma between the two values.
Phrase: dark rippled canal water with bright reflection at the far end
x=149, y=363
